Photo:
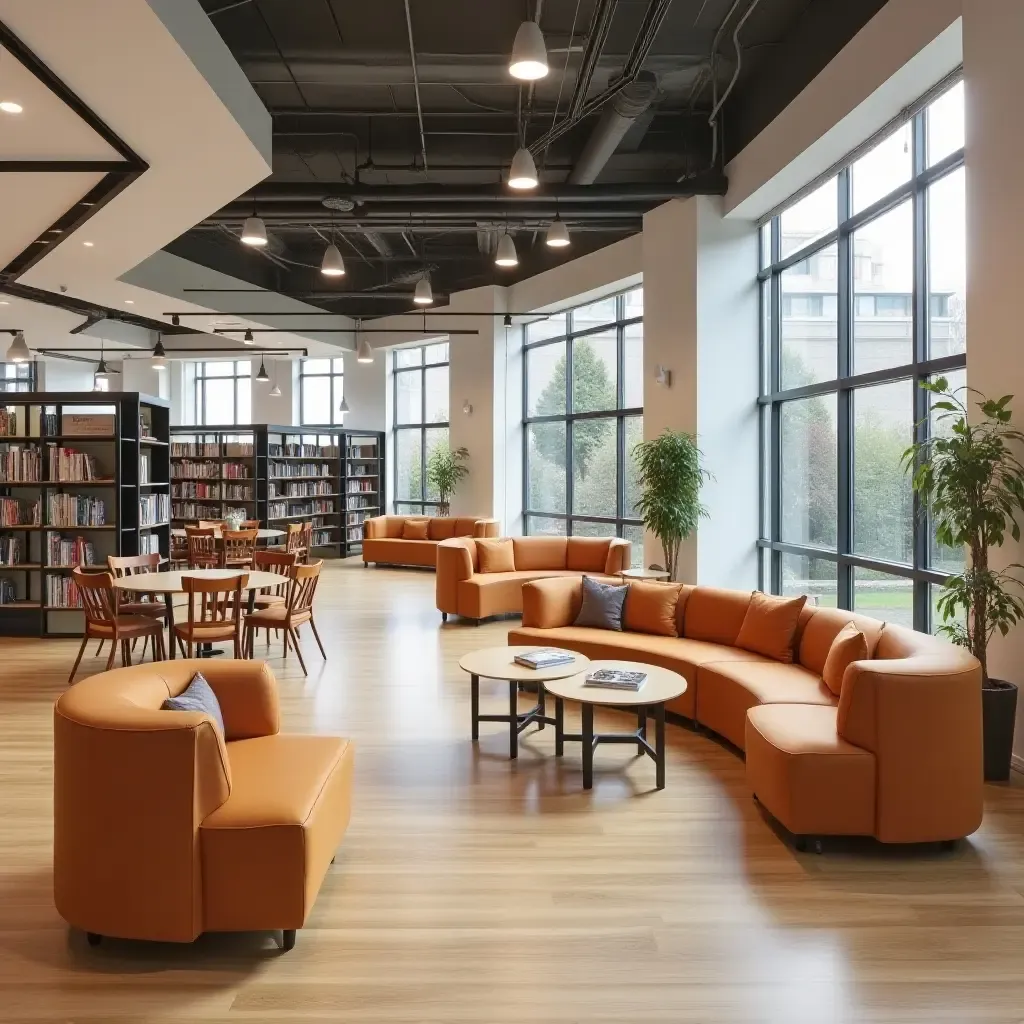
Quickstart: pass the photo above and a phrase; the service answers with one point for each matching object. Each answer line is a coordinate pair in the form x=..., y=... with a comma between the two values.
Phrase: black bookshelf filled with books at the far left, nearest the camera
x=83, y=476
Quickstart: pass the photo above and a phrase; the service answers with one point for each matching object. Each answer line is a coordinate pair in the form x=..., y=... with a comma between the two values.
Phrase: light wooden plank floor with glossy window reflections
x=472, y=889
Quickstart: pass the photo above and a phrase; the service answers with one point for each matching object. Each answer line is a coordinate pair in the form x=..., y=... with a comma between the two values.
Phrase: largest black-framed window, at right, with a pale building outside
x=864, y=287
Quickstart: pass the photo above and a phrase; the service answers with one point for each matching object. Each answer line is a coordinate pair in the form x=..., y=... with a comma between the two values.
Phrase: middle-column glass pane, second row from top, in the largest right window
x=883, y=292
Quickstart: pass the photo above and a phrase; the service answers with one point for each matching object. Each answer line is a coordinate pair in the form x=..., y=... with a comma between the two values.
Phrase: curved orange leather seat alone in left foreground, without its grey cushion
x=163, y=830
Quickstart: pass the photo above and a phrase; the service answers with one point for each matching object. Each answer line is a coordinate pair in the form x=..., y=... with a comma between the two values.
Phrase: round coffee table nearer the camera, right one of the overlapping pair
x=660, y=687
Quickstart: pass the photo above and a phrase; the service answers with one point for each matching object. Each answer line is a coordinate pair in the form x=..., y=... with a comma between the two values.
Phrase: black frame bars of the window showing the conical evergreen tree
x=620, y=414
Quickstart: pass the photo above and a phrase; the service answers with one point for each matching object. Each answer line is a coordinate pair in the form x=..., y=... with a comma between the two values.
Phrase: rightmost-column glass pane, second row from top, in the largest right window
x=948, y=266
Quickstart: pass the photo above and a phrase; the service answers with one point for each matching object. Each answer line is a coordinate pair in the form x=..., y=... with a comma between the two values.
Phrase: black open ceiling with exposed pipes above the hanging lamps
x=338, y=78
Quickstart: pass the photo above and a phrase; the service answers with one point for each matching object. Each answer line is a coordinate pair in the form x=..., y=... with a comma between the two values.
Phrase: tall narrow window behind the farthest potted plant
x=421, y=422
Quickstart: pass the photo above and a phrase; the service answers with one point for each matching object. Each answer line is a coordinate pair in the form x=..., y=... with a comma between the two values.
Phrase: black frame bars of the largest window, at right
x=844, y=387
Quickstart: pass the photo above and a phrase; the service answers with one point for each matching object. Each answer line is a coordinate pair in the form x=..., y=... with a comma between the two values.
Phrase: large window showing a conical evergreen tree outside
x=583, y=414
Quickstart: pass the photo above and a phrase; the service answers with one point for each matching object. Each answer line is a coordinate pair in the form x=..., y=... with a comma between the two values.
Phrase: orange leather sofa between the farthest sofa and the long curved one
x=463, y=590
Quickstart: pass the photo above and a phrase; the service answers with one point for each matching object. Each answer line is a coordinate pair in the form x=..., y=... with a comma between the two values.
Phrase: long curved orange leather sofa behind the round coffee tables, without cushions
x=899, y=756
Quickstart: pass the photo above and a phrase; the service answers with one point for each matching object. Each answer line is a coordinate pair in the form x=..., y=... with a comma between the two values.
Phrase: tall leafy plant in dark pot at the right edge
x=969, y=479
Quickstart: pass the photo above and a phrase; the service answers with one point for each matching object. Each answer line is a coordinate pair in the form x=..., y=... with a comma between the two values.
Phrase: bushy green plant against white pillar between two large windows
x=670, y=474
